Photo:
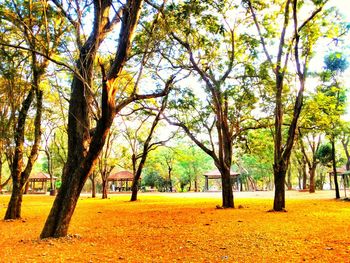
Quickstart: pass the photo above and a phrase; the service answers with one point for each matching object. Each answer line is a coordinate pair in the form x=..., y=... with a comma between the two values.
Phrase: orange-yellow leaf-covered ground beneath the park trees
x=183, y=228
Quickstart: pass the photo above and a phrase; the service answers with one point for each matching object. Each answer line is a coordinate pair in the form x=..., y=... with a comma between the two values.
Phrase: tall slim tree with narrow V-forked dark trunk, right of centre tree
x=301, y=41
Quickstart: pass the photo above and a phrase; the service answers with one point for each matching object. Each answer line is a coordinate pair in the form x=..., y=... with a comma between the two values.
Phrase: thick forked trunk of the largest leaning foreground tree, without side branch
x=83, y=151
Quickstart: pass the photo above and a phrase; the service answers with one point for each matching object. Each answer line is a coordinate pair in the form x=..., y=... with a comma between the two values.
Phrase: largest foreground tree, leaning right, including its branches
x=85, y=143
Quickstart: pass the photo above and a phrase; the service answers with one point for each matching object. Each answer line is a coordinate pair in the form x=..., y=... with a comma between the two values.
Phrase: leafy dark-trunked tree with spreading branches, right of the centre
x=209, y=48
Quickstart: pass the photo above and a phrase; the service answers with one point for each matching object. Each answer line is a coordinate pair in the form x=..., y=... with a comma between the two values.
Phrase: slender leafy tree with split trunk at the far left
x=32, y=21
